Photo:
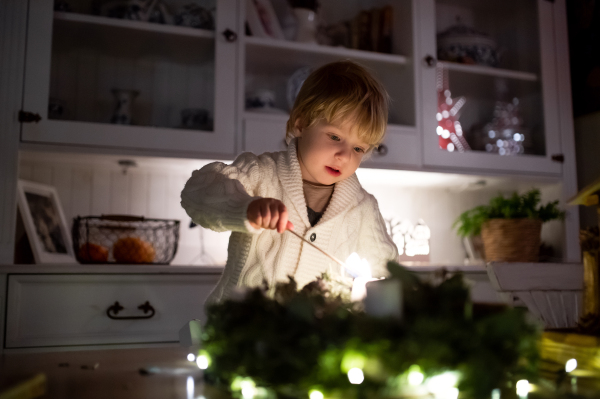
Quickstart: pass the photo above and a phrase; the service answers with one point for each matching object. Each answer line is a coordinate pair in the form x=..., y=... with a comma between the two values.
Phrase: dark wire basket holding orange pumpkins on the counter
x=125, y=239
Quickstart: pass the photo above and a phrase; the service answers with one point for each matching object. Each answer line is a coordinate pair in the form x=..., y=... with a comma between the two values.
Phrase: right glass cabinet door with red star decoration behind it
x=489, y=85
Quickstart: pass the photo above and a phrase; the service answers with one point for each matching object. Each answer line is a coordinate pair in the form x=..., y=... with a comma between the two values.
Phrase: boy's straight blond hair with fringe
x=338, y=91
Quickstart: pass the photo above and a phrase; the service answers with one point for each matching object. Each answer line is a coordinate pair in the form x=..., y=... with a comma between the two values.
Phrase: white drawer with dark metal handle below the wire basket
x=59, y=310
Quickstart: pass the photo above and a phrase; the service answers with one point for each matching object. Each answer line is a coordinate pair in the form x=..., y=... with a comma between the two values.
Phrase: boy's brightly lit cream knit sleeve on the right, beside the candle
x=375, y=244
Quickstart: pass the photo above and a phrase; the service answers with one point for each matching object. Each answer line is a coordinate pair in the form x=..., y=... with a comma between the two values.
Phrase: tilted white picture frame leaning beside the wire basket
x=45, y=224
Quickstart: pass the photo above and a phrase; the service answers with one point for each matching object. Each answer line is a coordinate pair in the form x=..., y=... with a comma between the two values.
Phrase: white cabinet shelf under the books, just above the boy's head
x=293, y=50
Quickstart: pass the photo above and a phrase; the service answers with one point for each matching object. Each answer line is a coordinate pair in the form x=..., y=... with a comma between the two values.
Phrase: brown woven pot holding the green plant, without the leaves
x=511, y=240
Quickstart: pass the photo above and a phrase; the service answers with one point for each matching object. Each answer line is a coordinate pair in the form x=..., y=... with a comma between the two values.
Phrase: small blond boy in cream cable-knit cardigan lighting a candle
x=338, y=118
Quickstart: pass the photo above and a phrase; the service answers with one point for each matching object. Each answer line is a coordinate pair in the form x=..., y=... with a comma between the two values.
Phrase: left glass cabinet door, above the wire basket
x=122, y=75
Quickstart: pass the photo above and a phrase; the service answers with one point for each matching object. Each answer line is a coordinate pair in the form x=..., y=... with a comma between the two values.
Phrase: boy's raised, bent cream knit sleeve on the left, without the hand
x=217, y=196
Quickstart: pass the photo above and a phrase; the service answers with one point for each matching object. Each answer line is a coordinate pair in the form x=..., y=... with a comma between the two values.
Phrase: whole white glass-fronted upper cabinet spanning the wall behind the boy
x=76, y=59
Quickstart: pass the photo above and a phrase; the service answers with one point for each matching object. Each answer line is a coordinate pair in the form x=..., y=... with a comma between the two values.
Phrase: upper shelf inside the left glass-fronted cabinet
x=103, y=22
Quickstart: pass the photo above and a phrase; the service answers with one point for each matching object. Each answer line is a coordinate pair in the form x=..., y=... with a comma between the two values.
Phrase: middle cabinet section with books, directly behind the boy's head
x=282, y=45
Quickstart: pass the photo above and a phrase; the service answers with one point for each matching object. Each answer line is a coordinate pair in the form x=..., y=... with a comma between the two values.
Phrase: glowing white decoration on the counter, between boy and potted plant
x=412, y=240
